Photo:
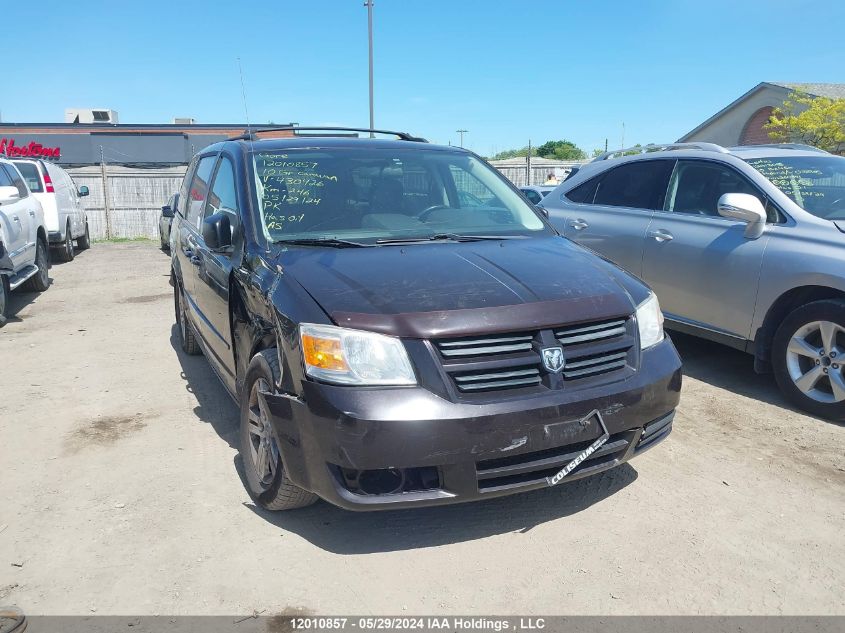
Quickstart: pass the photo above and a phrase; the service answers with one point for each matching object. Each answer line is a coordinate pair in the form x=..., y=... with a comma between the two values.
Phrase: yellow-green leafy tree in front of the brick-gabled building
x=817, y=121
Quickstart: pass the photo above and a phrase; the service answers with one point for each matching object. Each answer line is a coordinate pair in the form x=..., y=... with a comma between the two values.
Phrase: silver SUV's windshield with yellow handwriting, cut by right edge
x=814, y=183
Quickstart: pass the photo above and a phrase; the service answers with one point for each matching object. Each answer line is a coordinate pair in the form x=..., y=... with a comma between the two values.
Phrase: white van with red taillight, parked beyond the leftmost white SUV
x=65, y=216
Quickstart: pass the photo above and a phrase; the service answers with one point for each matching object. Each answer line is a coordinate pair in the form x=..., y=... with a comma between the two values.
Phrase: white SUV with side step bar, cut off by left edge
x=23, y=238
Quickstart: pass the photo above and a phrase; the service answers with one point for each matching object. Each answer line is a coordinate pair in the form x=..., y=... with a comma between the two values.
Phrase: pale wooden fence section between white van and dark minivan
x=133, y=198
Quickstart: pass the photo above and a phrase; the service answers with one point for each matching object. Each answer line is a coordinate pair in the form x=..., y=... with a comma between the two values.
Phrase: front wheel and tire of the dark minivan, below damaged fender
x=268, y=485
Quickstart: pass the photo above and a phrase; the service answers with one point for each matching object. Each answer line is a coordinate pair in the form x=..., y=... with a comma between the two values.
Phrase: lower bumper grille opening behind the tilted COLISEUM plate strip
x=532, y=468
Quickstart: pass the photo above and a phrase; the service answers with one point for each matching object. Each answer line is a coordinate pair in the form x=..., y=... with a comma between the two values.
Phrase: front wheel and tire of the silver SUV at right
x=808, y=358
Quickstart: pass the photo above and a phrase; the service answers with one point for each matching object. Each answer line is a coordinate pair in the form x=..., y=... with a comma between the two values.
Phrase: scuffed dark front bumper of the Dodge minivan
x=478, y=451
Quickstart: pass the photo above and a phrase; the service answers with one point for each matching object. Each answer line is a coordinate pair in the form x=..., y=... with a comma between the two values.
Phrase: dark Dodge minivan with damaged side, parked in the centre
x=401, y=327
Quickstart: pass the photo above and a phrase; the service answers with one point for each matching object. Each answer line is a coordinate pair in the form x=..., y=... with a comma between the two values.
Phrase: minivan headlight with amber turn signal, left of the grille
x=353, y=357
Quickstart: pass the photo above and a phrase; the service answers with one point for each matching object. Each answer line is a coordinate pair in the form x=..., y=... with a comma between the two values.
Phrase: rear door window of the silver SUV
x=639, y=185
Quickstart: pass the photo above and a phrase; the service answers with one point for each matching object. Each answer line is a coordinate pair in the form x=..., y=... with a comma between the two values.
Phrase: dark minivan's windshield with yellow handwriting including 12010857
x=378, y=194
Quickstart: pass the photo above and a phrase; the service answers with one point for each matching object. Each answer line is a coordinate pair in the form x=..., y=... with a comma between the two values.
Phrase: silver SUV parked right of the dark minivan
x=744, y=246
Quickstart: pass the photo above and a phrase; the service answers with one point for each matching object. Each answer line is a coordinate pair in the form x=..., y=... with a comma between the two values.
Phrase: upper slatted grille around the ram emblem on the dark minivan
x=593, y=352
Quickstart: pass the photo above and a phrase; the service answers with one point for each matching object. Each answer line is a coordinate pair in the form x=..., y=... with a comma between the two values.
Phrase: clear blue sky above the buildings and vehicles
x=506, y=70
